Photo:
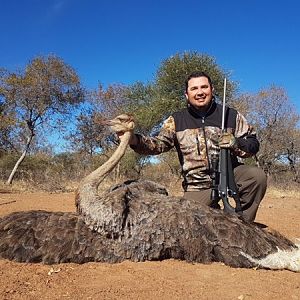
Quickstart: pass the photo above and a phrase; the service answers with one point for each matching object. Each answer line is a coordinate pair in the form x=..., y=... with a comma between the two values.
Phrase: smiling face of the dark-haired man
x=199, y=93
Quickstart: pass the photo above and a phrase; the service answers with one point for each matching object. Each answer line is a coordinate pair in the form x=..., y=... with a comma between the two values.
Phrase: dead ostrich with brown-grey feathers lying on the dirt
x=138, y=221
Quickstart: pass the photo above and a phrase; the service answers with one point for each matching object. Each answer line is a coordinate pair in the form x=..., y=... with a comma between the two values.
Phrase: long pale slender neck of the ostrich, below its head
x=97, y=176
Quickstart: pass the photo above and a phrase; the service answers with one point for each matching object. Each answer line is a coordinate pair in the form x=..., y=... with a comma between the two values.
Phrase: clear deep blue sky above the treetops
x=123, y=41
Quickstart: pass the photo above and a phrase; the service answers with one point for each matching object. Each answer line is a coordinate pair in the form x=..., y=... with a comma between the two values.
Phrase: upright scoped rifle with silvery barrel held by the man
x=223, y=184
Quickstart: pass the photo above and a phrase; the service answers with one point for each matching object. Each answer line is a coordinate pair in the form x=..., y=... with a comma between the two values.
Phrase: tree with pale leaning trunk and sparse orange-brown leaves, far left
x=40, y=95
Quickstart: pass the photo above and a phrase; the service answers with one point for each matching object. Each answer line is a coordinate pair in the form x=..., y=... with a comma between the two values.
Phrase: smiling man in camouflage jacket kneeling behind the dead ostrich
x=196, y=133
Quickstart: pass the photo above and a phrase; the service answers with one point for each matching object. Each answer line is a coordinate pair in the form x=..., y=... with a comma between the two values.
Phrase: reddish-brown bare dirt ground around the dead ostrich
x=149, y=280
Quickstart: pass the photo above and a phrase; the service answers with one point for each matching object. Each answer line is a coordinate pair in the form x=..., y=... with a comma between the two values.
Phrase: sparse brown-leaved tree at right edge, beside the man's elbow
x=275, y=120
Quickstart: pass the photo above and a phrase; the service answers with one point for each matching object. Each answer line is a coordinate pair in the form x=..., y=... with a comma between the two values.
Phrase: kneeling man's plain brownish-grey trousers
x=252, y=184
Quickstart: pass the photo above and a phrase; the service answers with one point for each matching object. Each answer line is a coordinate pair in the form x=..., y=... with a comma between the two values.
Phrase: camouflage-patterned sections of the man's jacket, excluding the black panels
x=195, y=148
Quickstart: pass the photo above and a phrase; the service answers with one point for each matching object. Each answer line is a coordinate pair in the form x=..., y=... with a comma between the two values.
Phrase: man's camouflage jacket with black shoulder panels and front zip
x=195, y=138
